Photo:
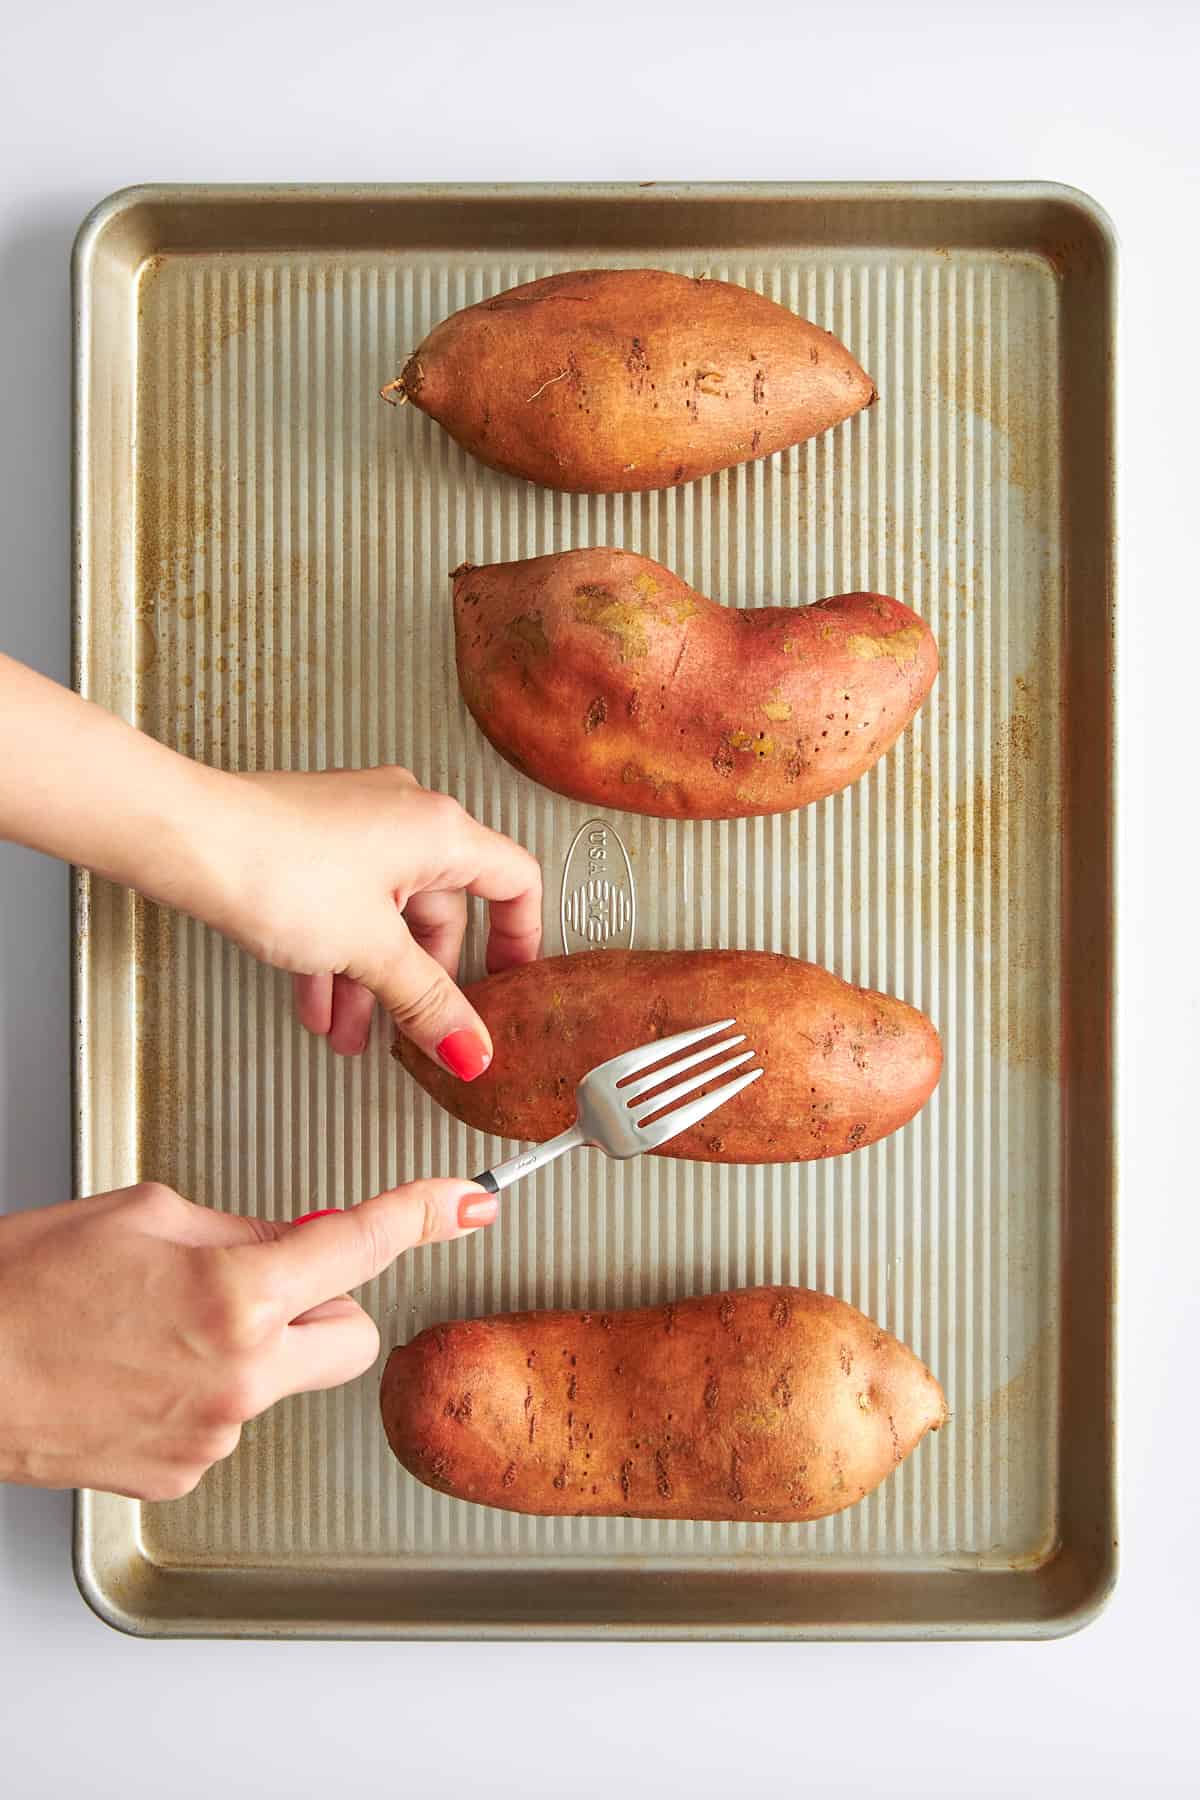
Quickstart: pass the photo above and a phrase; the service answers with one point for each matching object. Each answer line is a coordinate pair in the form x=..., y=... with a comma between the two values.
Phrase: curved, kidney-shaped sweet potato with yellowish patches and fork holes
x=604, y=676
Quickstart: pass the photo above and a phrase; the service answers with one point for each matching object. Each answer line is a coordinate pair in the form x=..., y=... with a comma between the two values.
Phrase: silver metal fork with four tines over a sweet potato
x=616, y=1119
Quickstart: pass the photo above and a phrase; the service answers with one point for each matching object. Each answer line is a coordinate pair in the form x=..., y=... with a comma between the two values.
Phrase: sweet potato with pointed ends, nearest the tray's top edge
x=616, y=381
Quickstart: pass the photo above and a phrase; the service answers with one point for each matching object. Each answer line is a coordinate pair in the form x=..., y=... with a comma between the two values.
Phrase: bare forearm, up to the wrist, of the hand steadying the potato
x=82, y=786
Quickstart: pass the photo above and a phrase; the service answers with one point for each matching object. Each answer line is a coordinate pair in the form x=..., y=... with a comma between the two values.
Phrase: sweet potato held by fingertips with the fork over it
x=843, y=1066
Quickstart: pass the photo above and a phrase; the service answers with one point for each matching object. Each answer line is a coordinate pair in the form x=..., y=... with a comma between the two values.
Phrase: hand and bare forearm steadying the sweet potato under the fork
x=355, y=883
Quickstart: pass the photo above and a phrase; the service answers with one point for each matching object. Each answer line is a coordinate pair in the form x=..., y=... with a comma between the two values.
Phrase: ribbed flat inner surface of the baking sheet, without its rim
x=292, y=609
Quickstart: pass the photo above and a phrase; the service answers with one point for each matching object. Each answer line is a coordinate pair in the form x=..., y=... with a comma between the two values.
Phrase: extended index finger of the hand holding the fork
x=337, y=1252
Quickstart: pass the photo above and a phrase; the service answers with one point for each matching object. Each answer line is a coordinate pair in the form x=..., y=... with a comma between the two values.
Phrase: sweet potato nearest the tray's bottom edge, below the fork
x=773, y=1405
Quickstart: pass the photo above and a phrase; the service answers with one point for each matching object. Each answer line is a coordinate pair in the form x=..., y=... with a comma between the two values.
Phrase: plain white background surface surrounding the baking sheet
x=105, y=94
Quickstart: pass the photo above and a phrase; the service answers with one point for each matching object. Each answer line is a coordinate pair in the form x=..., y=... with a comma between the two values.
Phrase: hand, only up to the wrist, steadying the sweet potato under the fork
x=359, y=885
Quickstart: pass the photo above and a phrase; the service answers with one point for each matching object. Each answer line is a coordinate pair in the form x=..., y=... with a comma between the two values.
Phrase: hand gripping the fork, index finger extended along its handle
x=139, y=1333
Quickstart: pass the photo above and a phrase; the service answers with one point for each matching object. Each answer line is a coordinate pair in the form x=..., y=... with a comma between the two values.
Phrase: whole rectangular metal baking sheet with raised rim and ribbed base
x=264, y=559
